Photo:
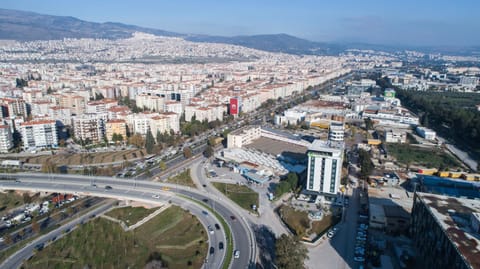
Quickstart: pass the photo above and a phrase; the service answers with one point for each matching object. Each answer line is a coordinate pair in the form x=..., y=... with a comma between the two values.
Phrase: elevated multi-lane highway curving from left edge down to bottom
x=143, y=191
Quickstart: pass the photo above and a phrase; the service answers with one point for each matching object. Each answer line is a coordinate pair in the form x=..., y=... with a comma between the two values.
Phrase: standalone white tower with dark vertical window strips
x=324, y=168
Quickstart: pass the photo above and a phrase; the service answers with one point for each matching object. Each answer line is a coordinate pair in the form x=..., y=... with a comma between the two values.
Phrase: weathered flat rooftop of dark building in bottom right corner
x=453, y=215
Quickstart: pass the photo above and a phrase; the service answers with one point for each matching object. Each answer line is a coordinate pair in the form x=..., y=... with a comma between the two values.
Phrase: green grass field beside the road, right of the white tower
x=433, y=158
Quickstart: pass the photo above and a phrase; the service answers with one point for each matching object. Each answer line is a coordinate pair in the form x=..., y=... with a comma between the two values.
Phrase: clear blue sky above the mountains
x=386, y=22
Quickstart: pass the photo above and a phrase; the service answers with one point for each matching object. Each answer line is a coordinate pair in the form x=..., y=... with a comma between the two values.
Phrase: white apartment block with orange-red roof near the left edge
x=39, y=134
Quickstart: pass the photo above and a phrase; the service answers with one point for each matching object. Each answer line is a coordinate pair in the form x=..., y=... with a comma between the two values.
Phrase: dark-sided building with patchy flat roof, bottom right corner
x=445, y=231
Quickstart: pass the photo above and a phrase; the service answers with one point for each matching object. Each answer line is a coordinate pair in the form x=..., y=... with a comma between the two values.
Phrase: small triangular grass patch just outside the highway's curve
x=240, y=194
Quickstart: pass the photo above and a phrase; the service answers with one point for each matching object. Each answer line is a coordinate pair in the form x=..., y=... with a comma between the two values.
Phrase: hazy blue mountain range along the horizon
x=29, y=26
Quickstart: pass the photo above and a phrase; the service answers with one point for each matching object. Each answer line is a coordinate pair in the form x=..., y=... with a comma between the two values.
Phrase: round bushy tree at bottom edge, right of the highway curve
x=290, y=253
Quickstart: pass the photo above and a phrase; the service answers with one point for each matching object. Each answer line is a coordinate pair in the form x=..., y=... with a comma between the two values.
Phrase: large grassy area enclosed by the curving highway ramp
x=174, y=236
